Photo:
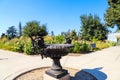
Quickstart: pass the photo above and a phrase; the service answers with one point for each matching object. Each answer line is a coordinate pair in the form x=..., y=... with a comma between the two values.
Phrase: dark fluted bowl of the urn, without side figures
x=57, y=50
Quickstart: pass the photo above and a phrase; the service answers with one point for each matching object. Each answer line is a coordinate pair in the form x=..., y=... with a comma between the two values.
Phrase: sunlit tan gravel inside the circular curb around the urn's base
x=37, y=74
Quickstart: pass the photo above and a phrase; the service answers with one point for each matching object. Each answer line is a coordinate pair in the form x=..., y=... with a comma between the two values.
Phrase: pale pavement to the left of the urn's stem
x=13, y=64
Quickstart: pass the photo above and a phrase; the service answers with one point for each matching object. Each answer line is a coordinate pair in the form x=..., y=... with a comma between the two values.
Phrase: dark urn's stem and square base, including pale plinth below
x=56, y=72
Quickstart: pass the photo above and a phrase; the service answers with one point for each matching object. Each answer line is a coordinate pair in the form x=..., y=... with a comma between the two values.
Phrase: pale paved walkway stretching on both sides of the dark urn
x=104, y=64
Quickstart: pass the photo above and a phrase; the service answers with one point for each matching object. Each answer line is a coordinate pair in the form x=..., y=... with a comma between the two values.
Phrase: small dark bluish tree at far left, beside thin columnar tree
x=11, y=32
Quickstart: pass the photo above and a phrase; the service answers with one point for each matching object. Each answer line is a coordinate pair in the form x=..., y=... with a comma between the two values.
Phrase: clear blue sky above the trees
x=59, y=15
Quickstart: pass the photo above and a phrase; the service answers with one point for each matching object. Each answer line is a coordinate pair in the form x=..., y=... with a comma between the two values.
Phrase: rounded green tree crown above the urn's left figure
x=33, y=28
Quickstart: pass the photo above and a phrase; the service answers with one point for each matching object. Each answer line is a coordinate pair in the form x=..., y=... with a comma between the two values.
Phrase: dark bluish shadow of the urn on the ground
x=90, y=74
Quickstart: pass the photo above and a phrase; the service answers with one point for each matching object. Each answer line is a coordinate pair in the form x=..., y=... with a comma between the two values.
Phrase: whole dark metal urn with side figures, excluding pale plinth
x=55, y=52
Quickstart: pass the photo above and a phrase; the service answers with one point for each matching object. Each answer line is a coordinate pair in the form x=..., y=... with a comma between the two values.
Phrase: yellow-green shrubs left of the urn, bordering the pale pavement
x=21, y=45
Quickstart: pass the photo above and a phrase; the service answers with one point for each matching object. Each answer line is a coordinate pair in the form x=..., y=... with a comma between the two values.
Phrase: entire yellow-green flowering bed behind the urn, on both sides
x=23, y=44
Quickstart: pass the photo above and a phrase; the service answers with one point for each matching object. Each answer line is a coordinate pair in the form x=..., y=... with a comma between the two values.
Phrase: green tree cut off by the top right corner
x=112, y=16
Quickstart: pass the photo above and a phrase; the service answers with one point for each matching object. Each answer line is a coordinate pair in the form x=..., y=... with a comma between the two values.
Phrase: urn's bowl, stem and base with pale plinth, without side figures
x=55, y=52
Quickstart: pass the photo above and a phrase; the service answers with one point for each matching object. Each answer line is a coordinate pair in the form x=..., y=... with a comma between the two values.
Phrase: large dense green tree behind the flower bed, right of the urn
x=92, y=28
